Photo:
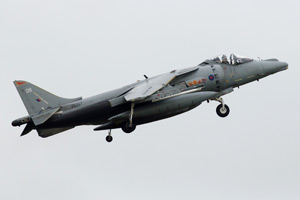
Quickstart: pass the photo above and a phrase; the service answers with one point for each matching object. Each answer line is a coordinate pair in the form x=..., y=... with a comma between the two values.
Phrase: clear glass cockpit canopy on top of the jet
x=232, y=59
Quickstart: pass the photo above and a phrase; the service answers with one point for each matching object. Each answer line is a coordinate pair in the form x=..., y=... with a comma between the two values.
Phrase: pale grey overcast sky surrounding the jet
x=83, y=48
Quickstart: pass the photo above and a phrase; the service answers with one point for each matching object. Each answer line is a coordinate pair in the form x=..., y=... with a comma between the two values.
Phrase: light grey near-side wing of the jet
x=152, y=85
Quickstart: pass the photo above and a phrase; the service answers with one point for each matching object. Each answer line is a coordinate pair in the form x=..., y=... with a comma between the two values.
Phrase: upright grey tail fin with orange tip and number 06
x=37, y=100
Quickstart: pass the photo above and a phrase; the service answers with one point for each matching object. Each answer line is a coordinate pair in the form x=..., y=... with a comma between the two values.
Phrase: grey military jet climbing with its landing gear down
x=145, y=101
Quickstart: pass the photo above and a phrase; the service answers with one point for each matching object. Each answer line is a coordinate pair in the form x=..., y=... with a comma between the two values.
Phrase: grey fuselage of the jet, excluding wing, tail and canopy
x=214, y=79
